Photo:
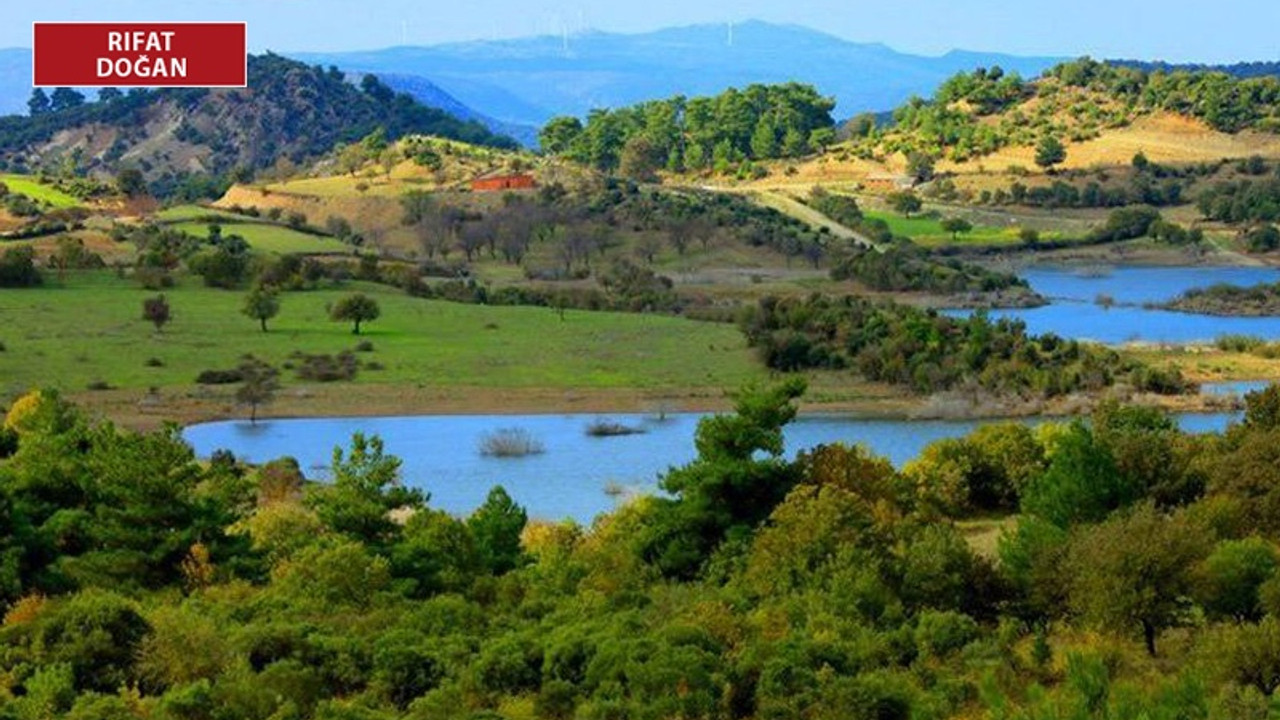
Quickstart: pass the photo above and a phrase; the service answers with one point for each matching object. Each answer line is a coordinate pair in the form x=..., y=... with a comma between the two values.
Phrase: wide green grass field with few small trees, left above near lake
x=90, y=330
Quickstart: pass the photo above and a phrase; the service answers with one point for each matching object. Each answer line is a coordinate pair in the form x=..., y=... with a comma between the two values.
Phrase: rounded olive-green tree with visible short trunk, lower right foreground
x=1133, y=572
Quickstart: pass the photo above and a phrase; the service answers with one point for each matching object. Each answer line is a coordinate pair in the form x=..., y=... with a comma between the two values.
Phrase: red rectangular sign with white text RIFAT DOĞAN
x=140, y=54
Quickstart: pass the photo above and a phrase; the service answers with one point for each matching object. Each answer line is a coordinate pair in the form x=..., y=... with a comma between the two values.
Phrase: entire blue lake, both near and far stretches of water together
x=572, y=479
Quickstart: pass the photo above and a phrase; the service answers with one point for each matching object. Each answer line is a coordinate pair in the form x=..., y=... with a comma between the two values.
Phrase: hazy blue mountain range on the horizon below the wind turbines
x=529, y=81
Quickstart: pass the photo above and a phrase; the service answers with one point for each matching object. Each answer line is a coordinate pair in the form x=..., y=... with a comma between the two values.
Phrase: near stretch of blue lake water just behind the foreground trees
x=574, y=476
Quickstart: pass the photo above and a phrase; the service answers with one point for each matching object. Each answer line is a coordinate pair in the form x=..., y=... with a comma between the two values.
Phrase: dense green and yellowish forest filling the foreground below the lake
x=1137, y=578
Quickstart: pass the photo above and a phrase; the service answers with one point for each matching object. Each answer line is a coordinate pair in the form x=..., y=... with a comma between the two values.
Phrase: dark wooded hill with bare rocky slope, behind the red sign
x=290, y=112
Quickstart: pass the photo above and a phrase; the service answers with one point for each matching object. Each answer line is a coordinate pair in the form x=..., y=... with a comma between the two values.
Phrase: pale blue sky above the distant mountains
x=1223, y=31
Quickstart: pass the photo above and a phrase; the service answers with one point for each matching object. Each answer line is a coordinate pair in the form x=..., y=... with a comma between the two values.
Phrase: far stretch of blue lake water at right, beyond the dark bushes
x=1075, y=311
